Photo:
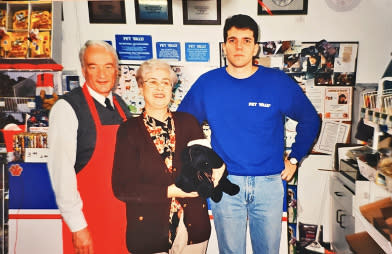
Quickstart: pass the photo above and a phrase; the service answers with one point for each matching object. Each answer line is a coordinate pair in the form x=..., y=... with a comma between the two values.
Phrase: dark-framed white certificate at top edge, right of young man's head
x=282, y=7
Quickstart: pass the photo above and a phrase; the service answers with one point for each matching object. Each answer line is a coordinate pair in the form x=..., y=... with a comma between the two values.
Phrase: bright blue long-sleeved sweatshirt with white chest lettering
x=247, y=117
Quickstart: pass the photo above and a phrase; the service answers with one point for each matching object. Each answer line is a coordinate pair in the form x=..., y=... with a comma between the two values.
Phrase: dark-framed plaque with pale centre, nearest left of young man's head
x=201, y=12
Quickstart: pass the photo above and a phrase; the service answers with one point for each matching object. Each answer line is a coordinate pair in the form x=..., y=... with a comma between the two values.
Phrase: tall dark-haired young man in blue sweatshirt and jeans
x=245, y=106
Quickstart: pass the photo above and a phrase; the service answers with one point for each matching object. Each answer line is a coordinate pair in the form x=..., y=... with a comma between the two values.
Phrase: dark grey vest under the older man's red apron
x=86, y=128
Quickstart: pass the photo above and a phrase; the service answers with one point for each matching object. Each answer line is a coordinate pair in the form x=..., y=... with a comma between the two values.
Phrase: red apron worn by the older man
x=104, y=213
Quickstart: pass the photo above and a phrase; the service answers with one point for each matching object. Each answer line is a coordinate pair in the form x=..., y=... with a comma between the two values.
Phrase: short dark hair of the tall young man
x=241, y=21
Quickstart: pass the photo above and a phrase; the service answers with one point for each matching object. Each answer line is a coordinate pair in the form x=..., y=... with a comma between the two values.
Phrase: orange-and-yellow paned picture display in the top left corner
x=30, y=30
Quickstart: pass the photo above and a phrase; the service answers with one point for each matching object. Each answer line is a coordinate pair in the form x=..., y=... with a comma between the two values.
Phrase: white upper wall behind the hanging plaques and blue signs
x=370, y=23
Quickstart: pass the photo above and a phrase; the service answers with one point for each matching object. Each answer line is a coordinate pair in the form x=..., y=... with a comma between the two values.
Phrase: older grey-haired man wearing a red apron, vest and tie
x=82, y=134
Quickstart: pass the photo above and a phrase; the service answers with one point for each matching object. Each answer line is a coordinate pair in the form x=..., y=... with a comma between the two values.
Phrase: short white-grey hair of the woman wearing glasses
x=151, y=66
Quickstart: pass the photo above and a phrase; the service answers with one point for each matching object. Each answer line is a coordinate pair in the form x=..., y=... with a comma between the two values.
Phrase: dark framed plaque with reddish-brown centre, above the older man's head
x=107, y=12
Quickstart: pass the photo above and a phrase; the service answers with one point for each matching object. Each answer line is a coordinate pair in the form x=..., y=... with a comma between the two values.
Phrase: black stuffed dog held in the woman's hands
x=198, y=160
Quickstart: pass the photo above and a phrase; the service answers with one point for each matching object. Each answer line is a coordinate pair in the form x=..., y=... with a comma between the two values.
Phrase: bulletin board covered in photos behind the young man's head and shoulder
x=322, y=63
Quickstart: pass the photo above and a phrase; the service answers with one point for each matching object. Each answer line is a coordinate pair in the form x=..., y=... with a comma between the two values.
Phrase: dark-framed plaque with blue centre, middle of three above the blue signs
x=153, y=12
